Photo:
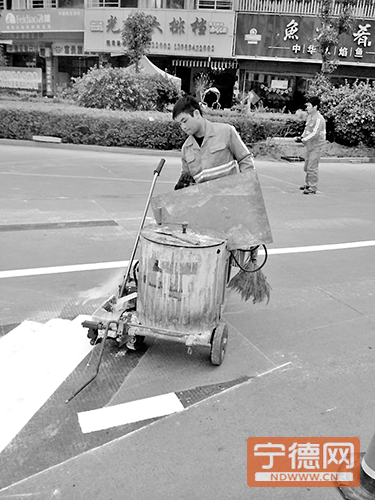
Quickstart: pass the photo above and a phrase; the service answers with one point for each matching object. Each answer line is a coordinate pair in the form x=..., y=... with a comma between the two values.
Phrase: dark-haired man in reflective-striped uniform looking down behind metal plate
x=212, y=150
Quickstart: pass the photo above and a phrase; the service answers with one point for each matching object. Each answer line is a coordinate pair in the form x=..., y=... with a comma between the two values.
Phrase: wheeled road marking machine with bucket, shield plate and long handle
x=175, y=290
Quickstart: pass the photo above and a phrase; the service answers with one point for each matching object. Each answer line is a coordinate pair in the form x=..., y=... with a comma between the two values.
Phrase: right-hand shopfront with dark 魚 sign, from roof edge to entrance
x=275, y=46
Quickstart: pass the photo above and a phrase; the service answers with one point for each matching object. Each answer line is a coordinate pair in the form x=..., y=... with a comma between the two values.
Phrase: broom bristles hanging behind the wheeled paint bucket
x=251, y=284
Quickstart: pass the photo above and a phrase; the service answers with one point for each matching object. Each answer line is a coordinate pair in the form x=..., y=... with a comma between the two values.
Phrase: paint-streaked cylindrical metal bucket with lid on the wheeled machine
x=181, y=279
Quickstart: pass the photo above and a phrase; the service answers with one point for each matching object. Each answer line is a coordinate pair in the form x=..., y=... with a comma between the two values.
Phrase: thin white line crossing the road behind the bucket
x=123, y=263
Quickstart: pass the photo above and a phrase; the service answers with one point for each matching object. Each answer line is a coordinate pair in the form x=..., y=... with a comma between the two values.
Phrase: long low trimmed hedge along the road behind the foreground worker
x=152, y=130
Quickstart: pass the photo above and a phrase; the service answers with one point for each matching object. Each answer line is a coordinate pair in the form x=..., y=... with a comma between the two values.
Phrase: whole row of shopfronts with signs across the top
x=261, y=46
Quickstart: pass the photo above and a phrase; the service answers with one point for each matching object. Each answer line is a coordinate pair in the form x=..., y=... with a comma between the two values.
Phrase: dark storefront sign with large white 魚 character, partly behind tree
x=291, y=38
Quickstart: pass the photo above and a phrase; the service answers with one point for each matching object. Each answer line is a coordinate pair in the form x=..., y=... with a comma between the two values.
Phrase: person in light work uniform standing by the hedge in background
x=314, y=137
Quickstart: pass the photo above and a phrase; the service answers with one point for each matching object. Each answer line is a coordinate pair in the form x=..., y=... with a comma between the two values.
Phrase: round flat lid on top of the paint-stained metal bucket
x=178, y=236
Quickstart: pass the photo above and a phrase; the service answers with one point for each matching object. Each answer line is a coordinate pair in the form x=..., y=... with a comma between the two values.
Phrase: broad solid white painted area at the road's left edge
x=34, y=363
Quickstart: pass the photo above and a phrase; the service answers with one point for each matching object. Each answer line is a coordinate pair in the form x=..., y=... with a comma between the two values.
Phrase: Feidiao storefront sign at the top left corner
x=18, y=21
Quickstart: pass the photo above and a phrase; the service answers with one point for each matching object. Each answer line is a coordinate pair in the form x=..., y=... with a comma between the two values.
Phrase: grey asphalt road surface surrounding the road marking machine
x=301, y=366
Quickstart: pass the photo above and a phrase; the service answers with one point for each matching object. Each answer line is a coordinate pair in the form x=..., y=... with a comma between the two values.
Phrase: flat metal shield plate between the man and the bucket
x=233, y=206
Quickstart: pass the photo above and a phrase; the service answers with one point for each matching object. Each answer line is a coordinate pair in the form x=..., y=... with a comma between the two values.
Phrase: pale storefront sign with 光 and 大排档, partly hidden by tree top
x=176, y=32
